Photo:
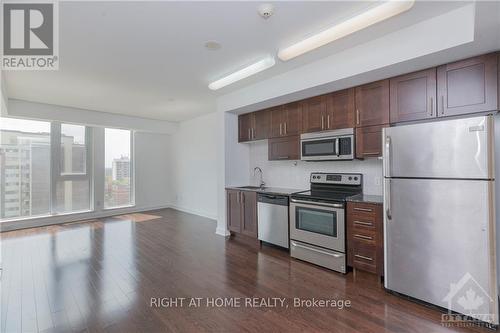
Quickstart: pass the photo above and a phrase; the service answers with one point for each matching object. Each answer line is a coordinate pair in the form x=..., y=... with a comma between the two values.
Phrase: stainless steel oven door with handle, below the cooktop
x=319, y=224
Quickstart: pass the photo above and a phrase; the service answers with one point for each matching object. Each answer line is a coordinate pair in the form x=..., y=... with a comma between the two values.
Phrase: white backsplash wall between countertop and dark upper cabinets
x=295, y=174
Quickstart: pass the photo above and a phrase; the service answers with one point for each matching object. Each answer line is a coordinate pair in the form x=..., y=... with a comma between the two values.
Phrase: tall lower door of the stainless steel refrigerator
x=439, y=243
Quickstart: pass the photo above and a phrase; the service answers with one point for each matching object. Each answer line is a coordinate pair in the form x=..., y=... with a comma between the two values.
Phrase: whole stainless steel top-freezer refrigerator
x=439, y=214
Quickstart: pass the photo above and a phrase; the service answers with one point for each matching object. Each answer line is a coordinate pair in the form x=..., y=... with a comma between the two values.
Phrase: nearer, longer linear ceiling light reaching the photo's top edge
x=370, y=17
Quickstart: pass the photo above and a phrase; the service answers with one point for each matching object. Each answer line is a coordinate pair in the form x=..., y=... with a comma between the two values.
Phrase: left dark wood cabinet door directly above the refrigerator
x=413, y=96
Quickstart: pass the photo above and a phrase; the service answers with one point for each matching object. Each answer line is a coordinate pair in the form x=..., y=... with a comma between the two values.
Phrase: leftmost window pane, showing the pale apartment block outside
x=24, y=168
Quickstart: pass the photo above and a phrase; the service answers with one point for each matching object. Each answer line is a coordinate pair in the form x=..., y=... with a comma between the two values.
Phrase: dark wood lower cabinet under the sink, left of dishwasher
x=242, y=212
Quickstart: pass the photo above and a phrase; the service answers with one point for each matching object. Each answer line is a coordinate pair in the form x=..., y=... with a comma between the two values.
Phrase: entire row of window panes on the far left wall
x=46, y=168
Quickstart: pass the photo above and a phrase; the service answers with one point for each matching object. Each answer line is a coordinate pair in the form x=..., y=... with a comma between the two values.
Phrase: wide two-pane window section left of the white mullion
x=45, y=168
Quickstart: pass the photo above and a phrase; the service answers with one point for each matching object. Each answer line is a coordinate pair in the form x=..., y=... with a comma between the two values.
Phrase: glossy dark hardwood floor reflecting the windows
x=100, y=276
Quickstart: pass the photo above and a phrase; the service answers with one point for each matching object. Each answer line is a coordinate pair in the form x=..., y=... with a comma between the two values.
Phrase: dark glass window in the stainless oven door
x=318, y=221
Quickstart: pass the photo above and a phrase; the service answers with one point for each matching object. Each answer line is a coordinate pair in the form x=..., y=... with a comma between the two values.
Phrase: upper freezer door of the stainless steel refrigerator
x=461, y=148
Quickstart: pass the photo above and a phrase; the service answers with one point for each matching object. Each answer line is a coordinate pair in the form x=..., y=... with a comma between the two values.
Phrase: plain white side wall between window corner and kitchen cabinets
x=193, y=155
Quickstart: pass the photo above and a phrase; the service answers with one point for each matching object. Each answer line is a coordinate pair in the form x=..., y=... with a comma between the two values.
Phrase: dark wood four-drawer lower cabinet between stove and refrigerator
x=365, y=238
